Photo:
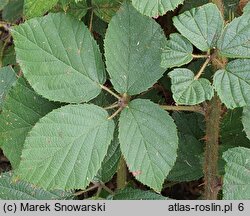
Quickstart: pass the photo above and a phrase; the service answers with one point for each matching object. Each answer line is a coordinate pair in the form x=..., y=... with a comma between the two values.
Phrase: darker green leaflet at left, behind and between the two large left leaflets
x=22, y=109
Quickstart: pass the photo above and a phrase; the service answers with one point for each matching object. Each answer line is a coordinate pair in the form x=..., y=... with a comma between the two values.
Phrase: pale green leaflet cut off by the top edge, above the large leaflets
x=155, y=8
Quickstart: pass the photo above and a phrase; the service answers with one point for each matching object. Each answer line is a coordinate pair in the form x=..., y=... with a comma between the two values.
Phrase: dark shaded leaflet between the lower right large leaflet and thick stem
x=187, y=166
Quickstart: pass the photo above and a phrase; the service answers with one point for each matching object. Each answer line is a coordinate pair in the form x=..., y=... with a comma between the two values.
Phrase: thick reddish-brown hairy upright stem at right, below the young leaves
x=211, y=178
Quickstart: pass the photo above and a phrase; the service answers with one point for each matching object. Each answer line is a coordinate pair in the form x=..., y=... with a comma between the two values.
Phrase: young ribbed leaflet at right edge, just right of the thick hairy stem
x=233, y=83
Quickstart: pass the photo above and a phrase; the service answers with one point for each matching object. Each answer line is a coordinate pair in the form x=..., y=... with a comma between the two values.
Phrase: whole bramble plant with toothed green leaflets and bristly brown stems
x=82, y=103
